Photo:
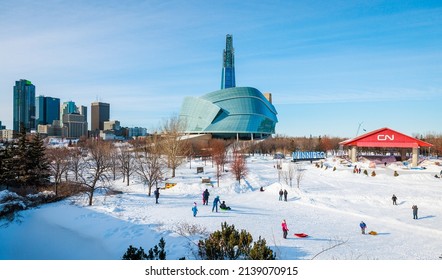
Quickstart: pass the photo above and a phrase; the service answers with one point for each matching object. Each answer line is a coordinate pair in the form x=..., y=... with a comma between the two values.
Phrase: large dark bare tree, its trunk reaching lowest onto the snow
x=96, y=167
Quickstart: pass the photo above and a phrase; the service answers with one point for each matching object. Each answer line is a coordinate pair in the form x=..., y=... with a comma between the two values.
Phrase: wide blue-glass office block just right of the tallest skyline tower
x=47, y=110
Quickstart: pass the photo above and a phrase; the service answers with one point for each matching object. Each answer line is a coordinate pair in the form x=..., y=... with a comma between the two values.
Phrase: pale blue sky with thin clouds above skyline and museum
x=330, y=65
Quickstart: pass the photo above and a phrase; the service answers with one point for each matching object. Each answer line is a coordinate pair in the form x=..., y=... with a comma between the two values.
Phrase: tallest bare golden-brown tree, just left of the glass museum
x=173, y=145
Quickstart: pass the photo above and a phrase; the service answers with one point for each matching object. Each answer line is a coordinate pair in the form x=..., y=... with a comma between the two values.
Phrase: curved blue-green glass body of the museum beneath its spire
x=241, y=112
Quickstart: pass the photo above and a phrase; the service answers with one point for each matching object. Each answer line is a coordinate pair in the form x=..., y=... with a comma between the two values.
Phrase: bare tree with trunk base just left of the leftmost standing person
x=148, y=161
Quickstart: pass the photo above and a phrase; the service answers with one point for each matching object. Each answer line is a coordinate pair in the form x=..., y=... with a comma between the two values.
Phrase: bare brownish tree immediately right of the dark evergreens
x=58, y=159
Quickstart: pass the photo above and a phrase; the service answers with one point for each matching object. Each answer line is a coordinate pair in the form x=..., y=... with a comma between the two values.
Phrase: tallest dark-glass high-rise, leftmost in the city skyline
x=24, y=105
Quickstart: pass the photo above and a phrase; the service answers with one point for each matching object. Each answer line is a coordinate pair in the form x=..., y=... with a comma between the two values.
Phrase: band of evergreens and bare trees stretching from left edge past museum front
x=27, y=165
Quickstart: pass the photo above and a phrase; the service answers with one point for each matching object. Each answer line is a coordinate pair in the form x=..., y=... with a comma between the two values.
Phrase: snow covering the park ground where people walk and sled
x=328, y=206
